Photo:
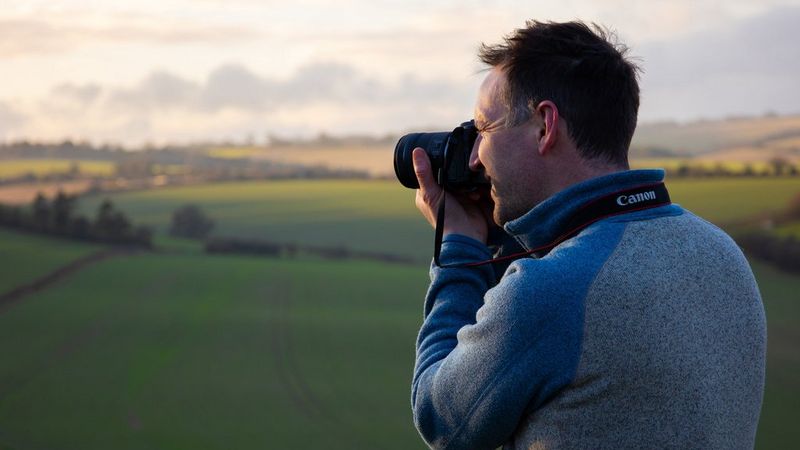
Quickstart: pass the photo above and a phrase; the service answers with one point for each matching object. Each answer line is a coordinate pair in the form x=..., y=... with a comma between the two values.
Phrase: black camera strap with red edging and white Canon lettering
x=639, y=198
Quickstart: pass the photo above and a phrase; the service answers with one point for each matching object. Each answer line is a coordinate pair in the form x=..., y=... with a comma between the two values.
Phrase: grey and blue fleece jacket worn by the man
x=646, y=330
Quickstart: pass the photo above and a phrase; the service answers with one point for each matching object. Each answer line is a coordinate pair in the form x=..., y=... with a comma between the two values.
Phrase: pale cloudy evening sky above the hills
x=181, y=71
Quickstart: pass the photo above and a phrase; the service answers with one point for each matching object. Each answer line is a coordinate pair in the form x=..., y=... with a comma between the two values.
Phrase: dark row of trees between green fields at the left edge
x=57, y=217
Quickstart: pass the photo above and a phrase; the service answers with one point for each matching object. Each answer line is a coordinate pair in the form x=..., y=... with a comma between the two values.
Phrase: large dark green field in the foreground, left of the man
x=160, y=351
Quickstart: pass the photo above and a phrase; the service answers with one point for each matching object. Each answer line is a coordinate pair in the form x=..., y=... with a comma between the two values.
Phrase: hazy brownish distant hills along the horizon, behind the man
x=733, y=140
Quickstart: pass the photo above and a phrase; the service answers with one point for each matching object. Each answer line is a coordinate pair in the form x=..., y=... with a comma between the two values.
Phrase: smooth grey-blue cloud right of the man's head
x=748, y=68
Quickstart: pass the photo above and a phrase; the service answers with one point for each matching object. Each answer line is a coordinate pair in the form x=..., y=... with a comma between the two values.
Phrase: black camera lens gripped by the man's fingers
x=433, y=143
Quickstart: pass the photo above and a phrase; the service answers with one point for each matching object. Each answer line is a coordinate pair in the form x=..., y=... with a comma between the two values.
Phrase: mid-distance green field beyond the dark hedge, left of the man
x=360, y=215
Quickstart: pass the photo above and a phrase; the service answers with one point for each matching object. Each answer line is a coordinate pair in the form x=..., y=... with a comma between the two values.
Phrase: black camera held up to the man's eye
x=449, y=155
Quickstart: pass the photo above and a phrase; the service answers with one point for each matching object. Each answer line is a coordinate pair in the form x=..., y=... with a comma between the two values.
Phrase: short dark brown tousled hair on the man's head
x=583, y=71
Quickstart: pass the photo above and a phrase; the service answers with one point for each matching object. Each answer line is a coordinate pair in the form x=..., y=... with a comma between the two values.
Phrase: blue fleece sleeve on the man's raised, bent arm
x=486, y=356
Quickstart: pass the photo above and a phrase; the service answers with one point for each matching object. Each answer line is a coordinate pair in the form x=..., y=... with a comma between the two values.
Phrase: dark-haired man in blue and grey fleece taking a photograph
x=642, y=327
